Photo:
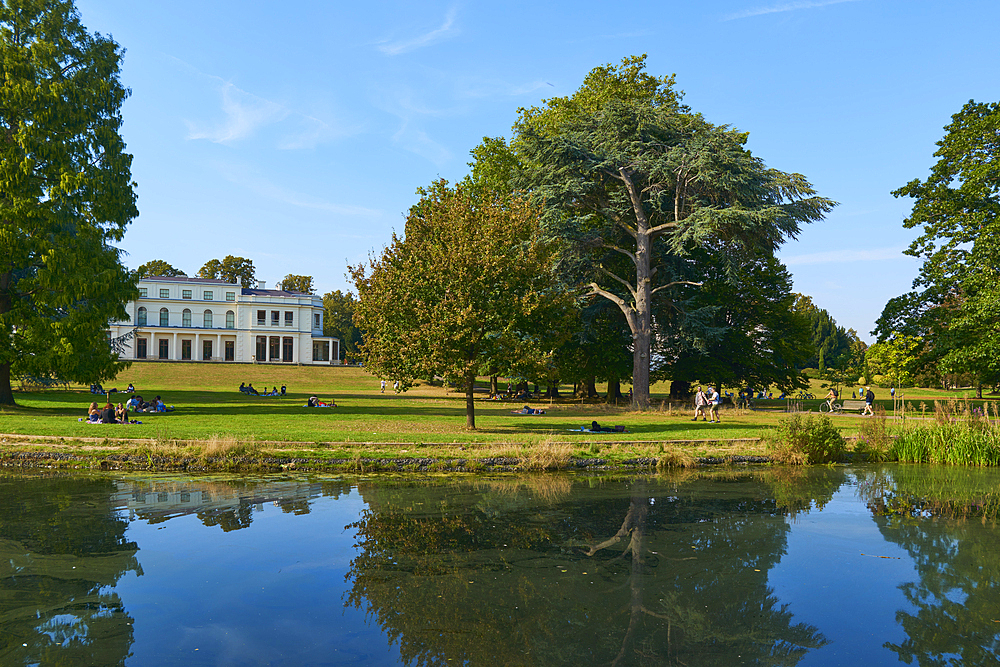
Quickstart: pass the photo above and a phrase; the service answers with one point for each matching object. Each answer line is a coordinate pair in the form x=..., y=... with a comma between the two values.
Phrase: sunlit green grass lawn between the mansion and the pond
x=209, y=406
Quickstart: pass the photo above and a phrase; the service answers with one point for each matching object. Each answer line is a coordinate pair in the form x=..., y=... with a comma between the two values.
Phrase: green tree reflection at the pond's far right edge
x=945, y=518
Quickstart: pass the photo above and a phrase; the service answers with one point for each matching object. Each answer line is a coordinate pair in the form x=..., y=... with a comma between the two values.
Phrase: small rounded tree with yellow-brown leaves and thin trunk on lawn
x=467, y=290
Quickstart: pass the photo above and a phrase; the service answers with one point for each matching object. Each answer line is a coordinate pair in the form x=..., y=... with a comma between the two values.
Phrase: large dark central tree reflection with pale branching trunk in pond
x=629, y=572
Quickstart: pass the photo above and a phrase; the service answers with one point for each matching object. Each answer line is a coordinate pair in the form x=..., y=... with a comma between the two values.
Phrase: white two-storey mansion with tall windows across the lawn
x=198, y=319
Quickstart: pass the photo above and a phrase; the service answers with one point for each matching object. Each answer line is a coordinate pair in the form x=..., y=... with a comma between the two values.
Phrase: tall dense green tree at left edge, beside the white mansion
x=67, y=195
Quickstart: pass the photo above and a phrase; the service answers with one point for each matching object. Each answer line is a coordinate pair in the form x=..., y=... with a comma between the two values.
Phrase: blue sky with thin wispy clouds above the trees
x=296, y=133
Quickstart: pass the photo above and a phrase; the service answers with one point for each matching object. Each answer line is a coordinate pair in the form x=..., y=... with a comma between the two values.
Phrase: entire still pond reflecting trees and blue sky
x=819, y=566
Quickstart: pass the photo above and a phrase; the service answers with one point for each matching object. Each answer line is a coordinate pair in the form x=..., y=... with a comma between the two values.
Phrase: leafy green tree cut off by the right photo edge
x=957, y=208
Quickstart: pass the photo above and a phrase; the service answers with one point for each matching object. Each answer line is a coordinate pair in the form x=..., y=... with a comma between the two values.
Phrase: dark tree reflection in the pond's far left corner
x=63, y=547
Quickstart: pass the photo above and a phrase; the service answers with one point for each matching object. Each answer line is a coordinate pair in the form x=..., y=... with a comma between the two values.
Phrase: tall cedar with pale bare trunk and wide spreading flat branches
x=625, y=170
